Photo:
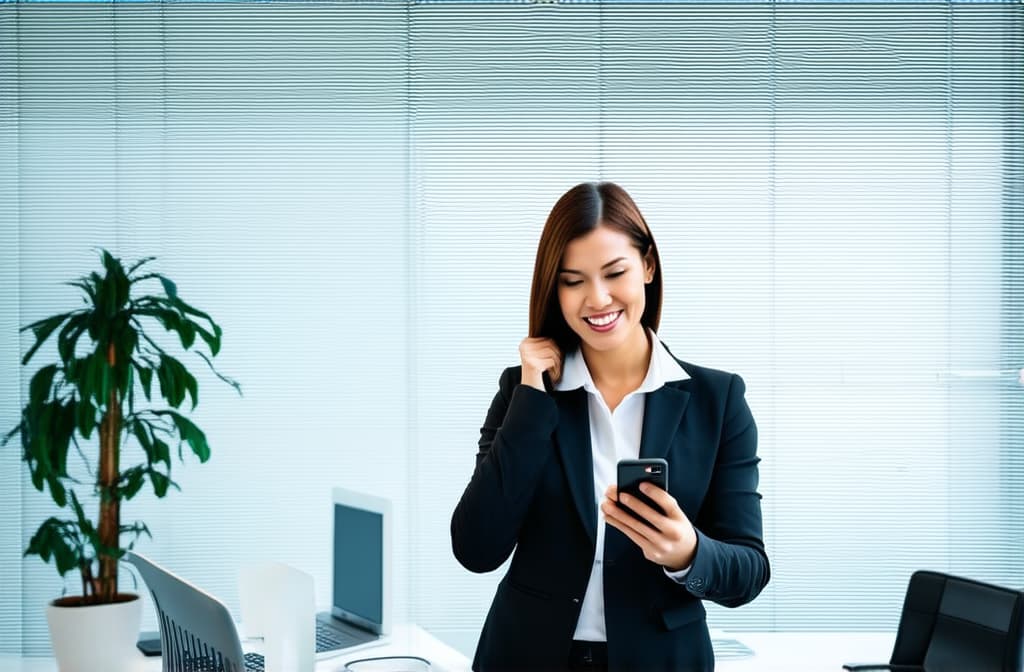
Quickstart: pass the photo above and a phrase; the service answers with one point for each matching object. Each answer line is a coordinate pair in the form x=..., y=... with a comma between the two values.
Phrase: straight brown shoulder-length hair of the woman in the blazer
x=579, y=212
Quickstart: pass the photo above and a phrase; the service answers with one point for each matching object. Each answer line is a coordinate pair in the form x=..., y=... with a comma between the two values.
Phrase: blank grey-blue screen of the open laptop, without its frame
x=359, y=563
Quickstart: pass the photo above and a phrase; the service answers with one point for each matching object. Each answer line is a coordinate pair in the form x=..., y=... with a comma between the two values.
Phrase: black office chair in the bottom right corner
x=952, y=624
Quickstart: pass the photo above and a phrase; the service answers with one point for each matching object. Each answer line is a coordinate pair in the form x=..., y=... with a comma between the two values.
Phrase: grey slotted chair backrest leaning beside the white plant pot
x=197, y=633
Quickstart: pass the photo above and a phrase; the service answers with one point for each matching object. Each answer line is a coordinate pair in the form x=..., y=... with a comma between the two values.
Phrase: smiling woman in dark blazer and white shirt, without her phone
x=580, y=595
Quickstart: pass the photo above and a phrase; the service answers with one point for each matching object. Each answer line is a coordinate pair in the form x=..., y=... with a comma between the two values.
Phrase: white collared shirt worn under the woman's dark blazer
x=614, y=436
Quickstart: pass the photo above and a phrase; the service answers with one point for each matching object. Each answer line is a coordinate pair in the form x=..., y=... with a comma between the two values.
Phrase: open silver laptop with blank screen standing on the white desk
x=361, y=590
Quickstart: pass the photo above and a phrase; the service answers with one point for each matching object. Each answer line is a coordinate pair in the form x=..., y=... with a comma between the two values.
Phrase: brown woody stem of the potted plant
x=110, y=505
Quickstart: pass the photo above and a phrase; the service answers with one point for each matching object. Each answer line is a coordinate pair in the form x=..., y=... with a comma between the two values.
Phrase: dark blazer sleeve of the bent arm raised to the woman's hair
x=515, y=447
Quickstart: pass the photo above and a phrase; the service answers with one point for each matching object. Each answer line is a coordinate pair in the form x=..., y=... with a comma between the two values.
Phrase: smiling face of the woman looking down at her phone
x=602, y=288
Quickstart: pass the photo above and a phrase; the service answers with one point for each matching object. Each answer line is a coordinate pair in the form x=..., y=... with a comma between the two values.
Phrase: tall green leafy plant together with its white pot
x=88, y=401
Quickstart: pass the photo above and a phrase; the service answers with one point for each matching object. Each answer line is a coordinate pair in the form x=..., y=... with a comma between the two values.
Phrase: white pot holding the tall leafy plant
x=96, y=639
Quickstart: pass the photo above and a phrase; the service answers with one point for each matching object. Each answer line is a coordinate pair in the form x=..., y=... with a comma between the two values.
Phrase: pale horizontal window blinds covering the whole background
x=356, y=190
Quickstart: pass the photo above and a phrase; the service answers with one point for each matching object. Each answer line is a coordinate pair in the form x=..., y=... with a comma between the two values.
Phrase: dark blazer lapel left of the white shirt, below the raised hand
x=574, y=446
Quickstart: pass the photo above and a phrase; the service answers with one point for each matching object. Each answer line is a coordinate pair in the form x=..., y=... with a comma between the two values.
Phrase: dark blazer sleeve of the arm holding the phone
x=731, y=567
